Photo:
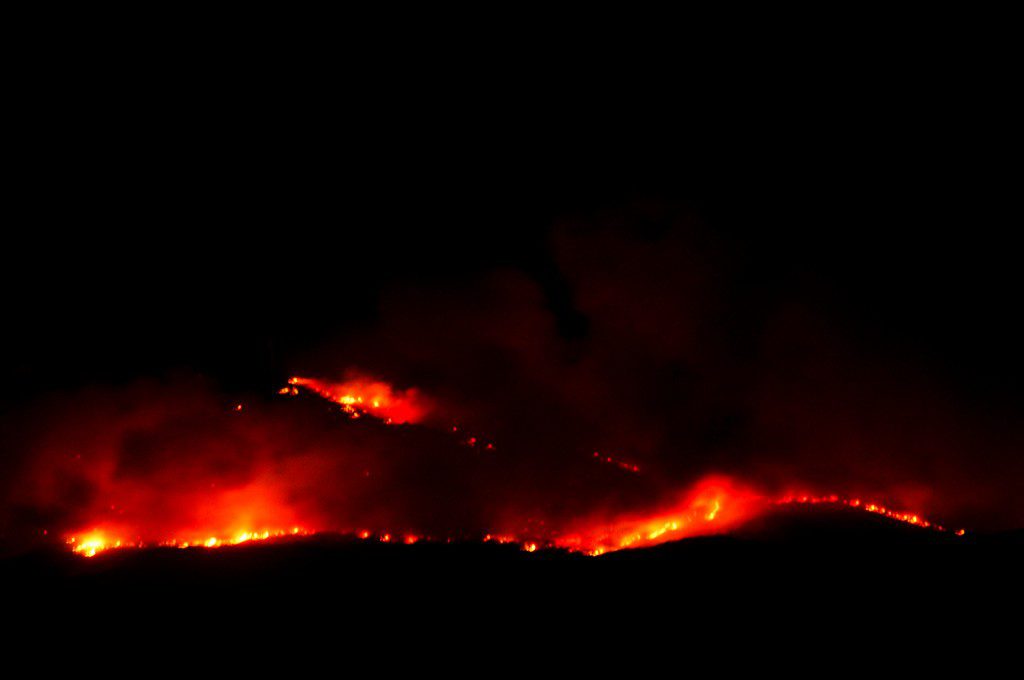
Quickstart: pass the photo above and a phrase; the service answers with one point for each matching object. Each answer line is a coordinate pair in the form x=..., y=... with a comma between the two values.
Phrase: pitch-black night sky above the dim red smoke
x=170, y=216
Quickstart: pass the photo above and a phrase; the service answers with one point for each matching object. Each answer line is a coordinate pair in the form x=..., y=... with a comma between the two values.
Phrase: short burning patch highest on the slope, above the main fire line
x=367, y=397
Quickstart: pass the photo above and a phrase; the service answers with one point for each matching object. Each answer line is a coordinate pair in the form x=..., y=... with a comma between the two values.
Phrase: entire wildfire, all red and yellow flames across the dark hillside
x=714, y=505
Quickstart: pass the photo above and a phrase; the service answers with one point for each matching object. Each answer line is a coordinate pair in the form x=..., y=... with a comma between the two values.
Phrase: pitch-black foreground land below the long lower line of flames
x=801, y=577
